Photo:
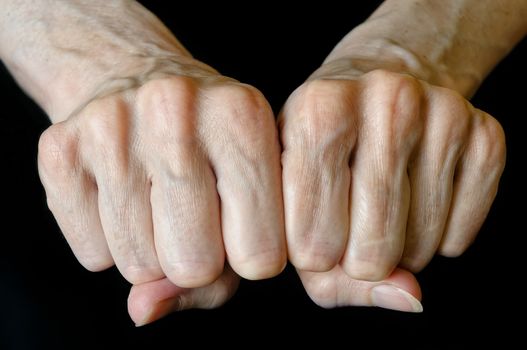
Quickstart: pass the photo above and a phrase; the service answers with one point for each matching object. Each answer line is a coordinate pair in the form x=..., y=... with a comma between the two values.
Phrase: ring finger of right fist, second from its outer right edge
x=431, y=175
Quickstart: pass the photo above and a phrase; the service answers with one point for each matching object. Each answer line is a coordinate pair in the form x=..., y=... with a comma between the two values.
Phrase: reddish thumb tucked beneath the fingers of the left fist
x=151, y=301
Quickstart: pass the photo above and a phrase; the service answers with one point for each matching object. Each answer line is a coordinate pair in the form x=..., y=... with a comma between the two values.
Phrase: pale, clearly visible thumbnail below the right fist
x=391, y=297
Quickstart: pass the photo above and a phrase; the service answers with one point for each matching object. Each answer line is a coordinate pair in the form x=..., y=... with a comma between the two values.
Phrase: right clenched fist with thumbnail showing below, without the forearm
x=382, y=170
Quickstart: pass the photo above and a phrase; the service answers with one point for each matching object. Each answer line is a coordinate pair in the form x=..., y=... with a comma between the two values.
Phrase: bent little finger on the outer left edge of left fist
x=72, y=197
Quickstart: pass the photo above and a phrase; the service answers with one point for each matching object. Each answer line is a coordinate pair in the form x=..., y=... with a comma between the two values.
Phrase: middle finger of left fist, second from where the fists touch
x=184, y=200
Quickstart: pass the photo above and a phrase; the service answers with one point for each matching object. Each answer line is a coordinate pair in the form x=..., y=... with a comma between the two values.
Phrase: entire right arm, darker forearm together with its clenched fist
x=403, y=166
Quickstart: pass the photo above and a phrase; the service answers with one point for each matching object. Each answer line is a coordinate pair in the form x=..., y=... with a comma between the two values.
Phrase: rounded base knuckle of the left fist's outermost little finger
x=57, y=151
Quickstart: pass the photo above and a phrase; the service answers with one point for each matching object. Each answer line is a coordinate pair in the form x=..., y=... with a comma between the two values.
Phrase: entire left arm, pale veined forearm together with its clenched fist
x=147, y=145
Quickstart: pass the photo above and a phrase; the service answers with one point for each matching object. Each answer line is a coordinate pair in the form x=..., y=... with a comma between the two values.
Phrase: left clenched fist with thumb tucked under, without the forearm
x=170, y=178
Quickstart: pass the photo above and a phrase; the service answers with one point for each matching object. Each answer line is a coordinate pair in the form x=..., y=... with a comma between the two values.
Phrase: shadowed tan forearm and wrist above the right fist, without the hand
x=453, y=43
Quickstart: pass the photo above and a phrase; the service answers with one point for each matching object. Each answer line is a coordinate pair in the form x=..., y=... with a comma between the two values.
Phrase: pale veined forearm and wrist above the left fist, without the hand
x=63, y=53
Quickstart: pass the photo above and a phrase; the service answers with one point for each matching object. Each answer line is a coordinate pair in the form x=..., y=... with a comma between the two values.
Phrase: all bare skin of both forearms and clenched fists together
x=160, y=165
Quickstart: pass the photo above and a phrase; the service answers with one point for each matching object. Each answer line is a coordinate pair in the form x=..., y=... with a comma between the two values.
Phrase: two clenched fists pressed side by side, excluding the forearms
x=184, y=182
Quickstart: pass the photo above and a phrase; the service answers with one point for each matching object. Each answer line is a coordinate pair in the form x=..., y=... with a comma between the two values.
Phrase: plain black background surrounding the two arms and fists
x=47, y=300
